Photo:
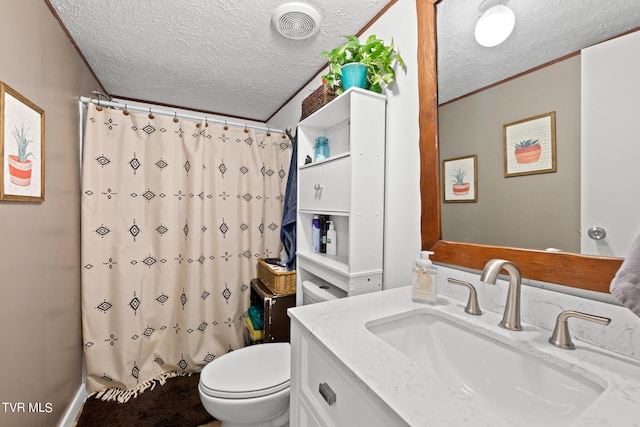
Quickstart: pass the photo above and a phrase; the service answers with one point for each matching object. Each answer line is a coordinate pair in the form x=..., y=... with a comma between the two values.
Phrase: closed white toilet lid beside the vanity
x=253, y=371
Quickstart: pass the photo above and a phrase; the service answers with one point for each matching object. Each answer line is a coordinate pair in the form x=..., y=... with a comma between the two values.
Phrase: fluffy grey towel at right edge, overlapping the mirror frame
x=625, y=286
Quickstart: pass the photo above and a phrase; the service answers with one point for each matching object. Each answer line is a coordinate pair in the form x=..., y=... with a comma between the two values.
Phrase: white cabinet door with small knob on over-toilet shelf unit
x=325, y=186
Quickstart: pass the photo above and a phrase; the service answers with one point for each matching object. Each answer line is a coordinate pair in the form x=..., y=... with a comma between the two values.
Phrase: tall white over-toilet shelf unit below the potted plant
x=348, y=186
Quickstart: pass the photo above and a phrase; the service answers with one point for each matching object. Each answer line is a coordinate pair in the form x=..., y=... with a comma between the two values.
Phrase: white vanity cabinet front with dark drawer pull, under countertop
x=325, y=393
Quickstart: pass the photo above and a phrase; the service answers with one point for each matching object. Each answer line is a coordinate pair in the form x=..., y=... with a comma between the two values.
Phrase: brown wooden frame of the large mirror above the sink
x=588, y=272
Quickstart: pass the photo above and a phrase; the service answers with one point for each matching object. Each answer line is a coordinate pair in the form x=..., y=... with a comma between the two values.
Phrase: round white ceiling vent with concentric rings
x=296, y=20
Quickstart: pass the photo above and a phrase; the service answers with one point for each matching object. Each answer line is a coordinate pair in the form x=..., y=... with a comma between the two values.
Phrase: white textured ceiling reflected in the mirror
x=545, y=30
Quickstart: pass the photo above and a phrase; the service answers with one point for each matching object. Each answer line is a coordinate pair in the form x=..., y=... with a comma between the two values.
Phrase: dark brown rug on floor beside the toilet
x=175, y=403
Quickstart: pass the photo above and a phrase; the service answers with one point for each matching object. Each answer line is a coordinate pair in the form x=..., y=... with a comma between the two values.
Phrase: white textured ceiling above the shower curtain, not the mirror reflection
x=220, y=56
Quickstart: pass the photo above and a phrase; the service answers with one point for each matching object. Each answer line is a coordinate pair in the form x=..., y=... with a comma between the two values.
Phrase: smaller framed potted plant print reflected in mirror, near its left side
x=460, y=179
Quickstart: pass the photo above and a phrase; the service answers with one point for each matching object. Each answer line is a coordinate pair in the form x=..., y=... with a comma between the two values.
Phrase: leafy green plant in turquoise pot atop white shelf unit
x=377, y=62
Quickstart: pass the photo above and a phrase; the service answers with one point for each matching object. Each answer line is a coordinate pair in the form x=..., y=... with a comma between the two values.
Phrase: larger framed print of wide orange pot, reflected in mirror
x=530, y=145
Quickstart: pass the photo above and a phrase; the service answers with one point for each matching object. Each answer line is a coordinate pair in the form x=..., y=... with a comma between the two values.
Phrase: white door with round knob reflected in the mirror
x=610, y=111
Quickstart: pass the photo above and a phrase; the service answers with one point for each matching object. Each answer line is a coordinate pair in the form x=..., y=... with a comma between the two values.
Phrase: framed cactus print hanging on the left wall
x=21, y=147
